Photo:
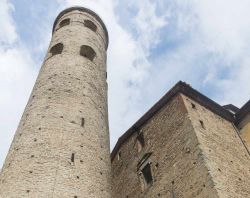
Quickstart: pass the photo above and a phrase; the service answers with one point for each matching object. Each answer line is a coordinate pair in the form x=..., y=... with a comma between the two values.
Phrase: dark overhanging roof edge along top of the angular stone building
x=180, y=87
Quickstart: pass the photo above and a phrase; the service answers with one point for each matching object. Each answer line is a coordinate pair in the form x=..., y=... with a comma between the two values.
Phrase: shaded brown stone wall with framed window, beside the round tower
x=177, y=164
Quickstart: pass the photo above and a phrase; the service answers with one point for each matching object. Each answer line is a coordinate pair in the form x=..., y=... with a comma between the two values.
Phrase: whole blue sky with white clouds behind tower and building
x=153, y=45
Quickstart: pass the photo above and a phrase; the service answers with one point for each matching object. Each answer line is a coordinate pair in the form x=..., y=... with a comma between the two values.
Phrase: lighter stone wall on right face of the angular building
x=224, y=153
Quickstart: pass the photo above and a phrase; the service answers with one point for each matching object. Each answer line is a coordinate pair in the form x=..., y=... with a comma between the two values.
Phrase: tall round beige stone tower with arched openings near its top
x=61, y=147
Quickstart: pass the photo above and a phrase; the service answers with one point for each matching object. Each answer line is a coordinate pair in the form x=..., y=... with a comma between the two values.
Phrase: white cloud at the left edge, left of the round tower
x=17, y=78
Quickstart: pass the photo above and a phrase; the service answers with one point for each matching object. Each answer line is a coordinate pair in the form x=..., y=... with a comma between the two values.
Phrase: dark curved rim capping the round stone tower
x=83, y=9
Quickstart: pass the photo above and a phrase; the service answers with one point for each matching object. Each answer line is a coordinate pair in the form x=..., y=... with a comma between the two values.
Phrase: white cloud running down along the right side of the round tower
x=127, y=59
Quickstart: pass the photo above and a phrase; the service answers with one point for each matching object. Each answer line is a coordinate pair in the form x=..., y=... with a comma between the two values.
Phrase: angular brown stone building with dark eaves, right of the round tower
x=185, y=146
